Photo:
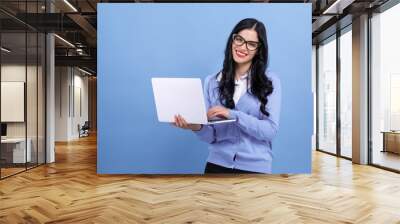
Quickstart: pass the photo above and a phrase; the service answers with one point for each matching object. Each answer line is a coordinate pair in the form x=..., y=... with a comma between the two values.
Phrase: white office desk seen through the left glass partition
x=19, y=149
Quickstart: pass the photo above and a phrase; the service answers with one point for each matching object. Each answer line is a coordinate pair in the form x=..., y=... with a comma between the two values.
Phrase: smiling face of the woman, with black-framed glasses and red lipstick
x=241, y=53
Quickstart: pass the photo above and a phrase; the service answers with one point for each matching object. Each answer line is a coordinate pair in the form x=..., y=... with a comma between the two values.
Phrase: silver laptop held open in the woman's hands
x=182, y=96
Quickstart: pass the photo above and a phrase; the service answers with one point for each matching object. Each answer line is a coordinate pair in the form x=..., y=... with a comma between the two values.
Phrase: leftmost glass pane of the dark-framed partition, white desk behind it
x=14, y=154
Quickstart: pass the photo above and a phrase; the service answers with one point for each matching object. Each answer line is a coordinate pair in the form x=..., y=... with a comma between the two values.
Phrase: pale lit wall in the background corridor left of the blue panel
x=70, y=83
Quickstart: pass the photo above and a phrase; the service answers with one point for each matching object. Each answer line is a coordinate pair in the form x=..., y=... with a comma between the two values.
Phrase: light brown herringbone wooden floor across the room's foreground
x=70, y=191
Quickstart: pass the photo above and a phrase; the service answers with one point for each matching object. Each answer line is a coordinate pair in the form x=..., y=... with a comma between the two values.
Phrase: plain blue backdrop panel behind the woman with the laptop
x=140, y=41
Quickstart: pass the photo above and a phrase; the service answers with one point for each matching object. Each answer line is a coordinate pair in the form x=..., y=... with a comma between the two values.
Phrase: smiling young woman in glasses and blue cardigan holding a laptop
x=245, y=91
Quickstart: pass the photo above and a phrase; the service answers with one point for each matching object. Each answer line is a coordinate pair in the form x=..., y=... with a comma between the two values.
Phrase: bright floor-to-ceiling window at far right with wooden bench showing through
x=385, y=88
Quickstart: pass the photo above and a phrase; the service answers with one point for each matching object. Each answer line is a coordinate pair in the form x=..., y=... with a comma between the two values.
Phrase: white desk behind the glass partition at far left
x=13, y=150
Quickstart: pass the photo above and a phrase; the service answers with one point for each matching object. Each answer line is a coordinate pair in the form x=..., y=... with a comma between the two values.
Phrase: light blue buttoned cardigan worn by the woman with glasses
x=247, y=143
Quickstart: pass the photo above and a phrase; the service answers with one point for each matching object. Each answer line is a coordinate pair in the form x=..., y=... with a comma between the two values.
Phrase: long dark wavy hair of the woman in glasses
x=261, y=86
